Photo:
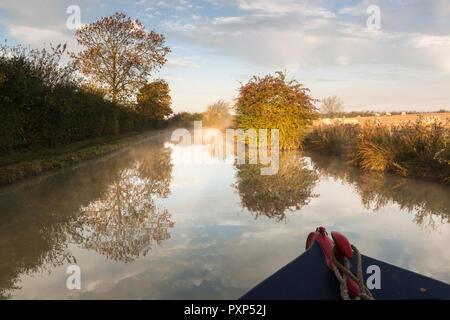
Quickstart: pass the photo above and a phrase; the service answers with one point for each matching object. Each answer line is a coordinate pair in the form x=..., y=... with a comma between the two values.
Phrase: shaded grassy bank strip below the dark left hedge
x=16, y=166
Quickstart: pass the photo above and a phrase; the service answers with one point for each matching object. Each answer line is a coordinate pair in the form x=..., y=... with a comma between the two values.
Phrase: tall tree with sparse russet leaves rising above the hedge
x=119, y=55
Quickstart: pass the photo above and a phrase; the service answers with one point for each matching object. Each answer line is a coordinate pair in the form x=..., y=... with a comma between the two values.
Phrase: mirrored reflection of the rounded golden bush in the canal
x=273, y=195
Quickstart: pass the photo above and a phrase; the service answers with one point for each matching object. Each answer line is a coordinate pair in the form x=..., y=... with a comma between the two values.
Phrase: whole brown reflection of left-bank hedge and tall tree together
x=108, y=206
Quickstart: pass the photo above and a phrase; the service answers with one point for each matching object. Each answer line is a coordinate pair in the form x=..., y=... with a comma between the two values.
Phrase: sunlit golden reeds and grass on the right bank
x=410, y=149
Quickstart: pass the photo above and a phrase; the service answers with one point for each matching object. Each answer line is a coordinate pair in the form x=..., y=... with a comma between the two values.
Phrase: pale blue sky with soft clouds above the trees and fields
x=398, y=59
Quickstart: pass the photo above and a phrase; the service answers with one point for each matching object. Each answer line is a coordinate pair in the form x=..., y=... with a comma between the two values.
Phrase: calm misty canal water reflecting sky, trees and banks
x=144, y=223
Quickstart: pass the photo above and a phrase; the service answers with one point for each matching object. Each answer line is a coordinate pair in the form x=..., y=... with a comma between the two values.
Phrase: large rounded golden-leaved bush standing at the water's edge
x=273, y=102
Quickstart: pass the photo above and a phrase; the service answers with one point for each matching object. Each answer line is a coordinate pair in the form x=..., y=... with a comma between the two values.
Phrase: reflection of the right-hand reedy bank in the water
x=430, y=202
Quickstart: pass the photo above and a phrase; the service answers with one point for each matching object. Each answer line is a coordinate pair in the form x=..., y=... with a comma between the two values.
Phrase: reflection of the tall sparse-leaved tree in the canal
x=125, y=222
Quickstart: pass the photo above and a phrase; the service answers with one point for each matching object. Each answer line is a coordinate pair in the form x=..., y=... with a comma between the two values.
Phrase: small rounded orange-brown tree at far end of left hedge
x=154, y=100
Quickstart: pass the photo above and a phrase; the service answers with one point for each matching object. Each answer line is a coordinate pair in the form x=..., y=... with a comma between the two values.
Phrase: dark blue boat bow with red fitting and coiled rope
x=314, y=276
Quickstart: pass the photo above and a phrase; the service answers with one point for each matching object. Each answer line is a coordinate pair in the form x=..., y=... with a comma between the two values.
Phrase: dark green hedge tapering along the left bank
x=43, y=105
